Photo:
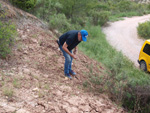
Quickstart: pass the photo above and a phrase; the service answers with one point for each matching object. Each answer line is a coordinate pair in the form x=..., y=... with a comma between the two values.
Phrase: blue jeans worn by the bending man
x=68, y=61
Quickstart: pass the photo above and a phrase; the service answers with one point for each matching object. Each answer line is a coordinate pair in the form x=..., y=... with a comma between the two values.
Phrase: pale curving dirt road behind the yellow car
x=122, y=35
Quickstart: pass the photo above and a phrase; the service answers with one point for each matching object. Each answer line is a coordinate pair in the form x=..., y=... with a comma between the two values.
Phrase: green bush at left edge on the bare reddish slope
x=7, y=34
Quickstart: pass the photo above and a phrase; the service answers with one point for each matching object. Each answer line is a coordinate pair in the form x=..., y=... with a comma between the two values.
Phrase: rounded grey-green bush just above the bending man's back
x=60, y=22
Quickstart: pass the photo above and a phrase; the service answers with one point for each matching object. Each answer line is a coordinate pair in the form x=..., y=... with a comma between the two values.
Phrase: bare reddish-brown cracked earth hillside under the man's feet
x=32, y=80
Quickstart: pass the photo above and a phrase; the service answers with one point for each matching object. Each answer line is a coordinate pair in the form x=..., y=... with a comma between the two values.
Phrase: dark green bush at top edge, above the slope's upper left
x=24, y=4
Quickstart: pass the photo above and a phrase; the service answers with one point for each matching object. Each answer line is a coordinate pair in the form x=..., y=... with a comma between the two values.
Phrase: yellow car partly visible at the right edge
x=144, y=56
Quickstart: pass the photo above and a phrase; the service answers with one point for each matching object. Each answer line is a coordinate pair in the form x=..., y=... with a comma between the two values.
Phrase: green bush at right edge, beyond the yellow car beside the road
x=144, y=30
